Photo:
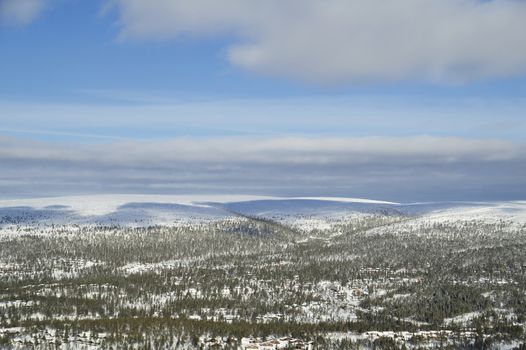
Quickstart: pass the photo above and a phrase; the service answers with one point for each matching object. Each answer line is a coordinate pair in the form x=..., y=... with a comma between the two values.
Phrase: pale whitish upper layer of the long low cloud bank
x=269, y=151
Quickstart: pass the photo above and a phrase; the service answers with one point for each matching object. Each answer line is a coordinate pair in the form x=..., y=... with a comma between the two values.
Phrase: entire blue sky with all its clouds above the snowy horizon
x=410, y=100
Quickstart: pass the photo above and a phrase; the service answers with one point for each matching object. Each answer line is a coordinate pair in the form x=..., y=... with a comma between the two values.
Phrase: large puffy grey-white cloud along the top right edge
x=332, y=41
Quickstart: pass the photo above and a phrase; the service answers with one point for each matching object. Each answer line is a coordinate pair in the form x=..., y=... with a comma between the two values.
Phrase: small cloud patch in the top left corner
x=20, y=12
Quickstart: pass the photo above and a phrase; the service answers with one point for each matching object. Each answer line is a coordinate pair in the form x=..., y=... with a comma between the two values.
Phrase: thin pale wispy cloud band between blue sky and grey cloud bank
x=294, y=116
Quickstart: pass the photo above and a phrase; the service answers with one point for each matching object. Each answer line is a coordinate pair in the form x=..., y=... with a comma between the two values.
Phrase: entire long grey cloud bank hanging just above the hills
x=403, y=169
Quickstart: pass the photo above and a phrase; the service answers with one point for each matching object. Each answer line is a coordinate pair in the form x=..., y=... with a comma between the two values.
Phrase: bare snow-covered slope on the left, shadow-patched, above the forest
x=126, y=210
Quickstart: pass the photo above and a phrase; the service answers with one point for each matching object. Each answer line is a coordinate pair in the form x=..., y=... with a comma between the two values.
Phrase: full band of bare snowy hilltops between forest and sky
x=303, y=212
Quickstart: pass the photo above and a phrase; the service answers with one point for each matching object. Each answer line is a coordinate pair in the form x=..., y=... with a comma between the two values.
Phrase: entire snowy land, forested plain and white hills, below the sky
x=255, y=272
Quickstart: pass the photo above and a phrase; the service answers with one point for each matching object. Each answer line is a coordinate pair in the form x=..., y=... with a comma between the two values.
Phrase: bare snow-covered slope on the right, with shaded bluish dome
x=323, y=213
